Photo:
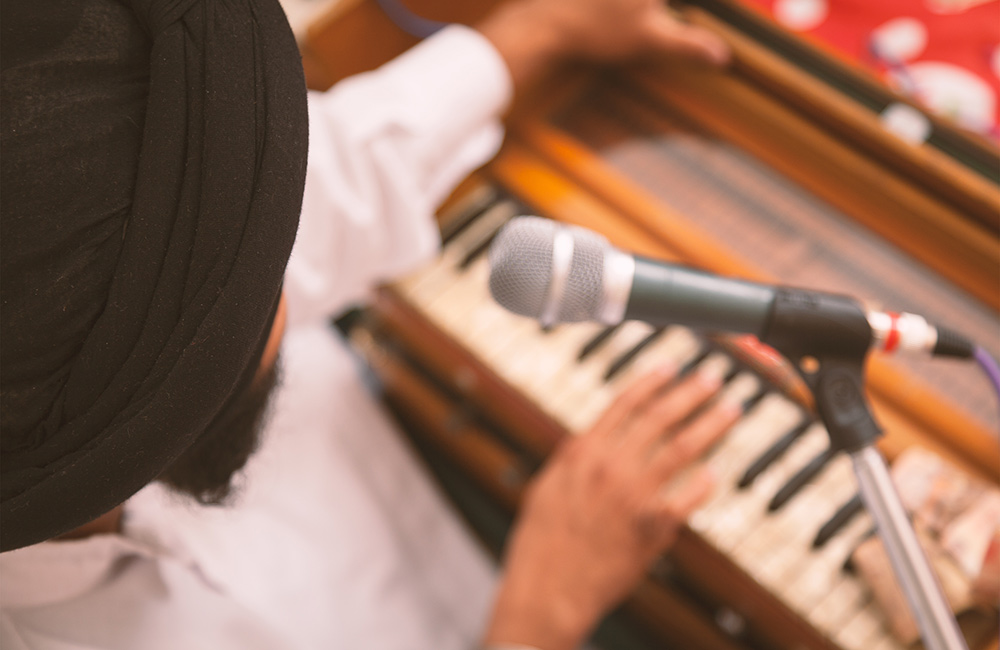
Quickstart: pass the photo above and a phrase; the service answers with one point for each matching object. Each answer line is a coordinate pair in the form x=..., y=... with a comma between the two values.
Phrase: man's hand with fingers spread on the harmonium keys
x=599, y=515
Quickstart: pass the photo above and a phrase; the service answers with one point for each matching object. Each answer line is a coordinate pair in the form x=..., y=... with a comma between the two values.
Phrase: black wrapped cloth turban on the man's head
x=153, y=163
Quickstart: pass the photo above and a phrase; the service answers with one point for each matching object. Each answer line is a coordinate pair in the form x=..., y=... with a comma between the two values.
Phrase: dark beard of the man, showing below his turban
x=207, y=468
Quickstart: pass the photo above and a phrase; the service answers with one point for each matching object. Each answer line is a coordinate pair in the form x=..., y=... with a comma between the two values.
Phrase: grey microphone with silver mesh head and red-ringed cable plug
x=559, y=273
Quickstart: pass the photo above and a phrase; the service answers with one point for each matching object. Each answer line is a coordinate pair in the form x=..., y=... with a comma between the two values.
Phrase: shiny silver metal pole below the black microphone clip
x=938, y=627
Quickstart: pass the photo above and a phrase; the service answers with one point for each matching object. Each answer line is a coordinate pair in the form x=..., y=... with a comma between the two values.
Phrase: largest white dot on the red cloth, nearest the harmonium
x=953, y=92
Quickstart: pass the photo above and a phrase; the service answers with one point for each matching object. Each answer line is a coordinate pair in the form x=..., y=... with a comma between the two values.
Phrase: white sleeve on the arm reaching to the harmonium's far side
x=385, y=148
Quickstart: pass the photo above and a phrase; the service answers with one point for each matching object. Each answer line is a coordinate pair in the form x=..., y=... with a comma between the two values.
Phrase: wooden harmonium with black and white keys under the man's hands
x=789, y=166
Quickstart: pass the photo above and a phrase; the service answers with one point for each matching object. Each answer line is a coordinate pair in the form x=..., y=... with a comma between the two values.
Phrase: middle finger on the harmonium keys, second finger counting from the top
x=669, y=409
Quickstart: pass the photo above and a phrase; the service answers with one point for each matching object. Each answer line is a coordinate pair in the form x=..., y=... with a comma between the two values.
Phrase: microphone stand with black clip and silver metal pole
x=828, y=338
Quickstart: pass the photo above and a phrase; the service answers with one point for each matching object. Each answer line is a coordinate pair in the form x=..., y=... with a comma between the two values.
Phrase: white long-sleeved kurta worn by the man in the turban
x=338, y=538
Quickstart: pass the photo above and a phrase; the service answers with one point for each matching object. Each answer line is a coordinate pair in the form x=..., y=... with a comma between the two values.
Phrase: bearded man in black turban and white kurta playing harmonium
x=153, y=166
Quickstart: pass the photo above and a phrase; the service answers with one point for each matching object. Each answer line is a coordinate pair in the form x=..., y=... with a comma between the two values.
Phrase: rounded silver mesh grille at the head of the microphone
x=521, y=269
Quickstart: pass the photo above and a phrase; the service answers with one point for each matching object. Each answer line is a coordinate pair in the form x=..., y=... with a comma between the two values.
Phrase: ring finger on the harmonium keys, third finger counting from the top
x=694, y=440
